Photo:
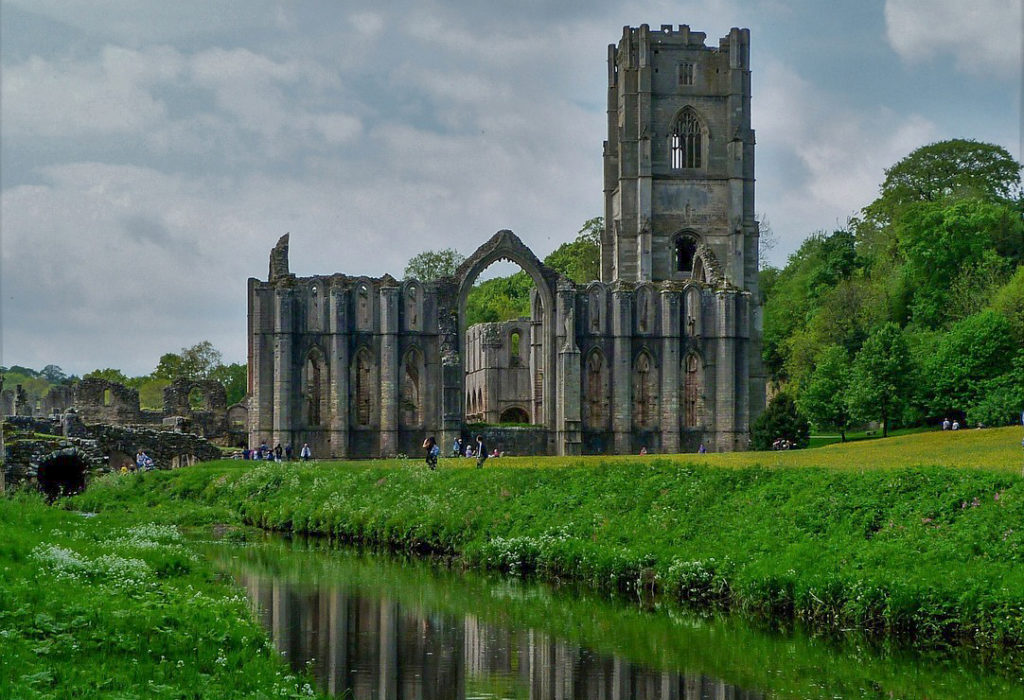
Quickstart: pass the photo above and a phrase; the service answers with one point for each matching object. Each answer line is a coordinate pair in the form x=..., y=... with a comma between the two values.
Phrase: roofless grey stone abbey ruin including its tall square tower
x=664, y=353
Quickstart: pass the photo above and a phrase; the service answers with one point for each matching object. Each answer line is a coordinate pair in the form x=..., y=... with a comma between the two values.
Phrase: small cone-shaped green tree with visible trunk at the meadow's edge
x=882, y=378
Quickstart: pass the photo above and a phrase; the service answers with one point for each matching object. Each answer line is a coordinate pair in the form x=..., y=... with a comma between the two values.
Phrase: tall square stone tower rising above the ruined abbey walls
x=679, y=159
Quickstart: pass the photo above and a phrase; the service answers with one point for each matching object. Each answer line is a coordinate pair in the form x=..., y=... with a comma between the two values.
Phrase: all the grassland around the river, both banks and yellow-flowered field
x=917, y=540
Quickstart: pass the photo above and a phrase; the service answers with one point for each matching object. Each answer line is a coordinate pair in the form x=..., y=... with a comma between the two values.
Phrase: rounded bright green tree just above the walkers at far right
x=974, y=352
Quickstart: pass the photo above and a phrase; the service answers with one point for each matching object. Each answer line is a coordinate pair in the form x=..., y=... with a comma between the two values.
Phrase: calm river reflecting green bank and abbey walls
x=380, y=627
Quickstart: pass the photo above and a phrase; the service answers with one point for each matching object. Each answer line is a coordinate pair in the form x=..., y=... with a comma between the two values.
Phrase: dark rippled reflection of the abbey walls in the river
x=380, y=649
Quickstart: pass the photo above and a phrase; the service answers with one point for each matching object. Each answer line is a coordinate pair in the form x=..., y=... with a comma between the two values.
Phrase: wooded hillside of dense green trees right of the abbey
x=915, y=312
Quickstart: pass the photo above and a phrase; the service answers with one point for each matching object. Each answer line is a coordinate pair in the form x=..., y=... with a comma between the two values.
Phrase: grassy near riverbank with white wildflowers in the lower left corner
x=120, y=606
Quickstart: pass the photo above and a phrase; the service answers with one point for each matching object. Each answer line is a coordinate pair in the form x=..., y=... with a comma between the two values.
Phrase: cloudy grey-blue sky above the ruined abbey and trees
x=153, y=153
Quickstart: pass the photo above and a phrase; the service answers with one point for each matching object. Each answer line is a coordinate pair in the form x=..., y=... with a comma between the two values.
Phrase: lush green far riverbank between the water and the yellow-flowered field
x=930, y=556
